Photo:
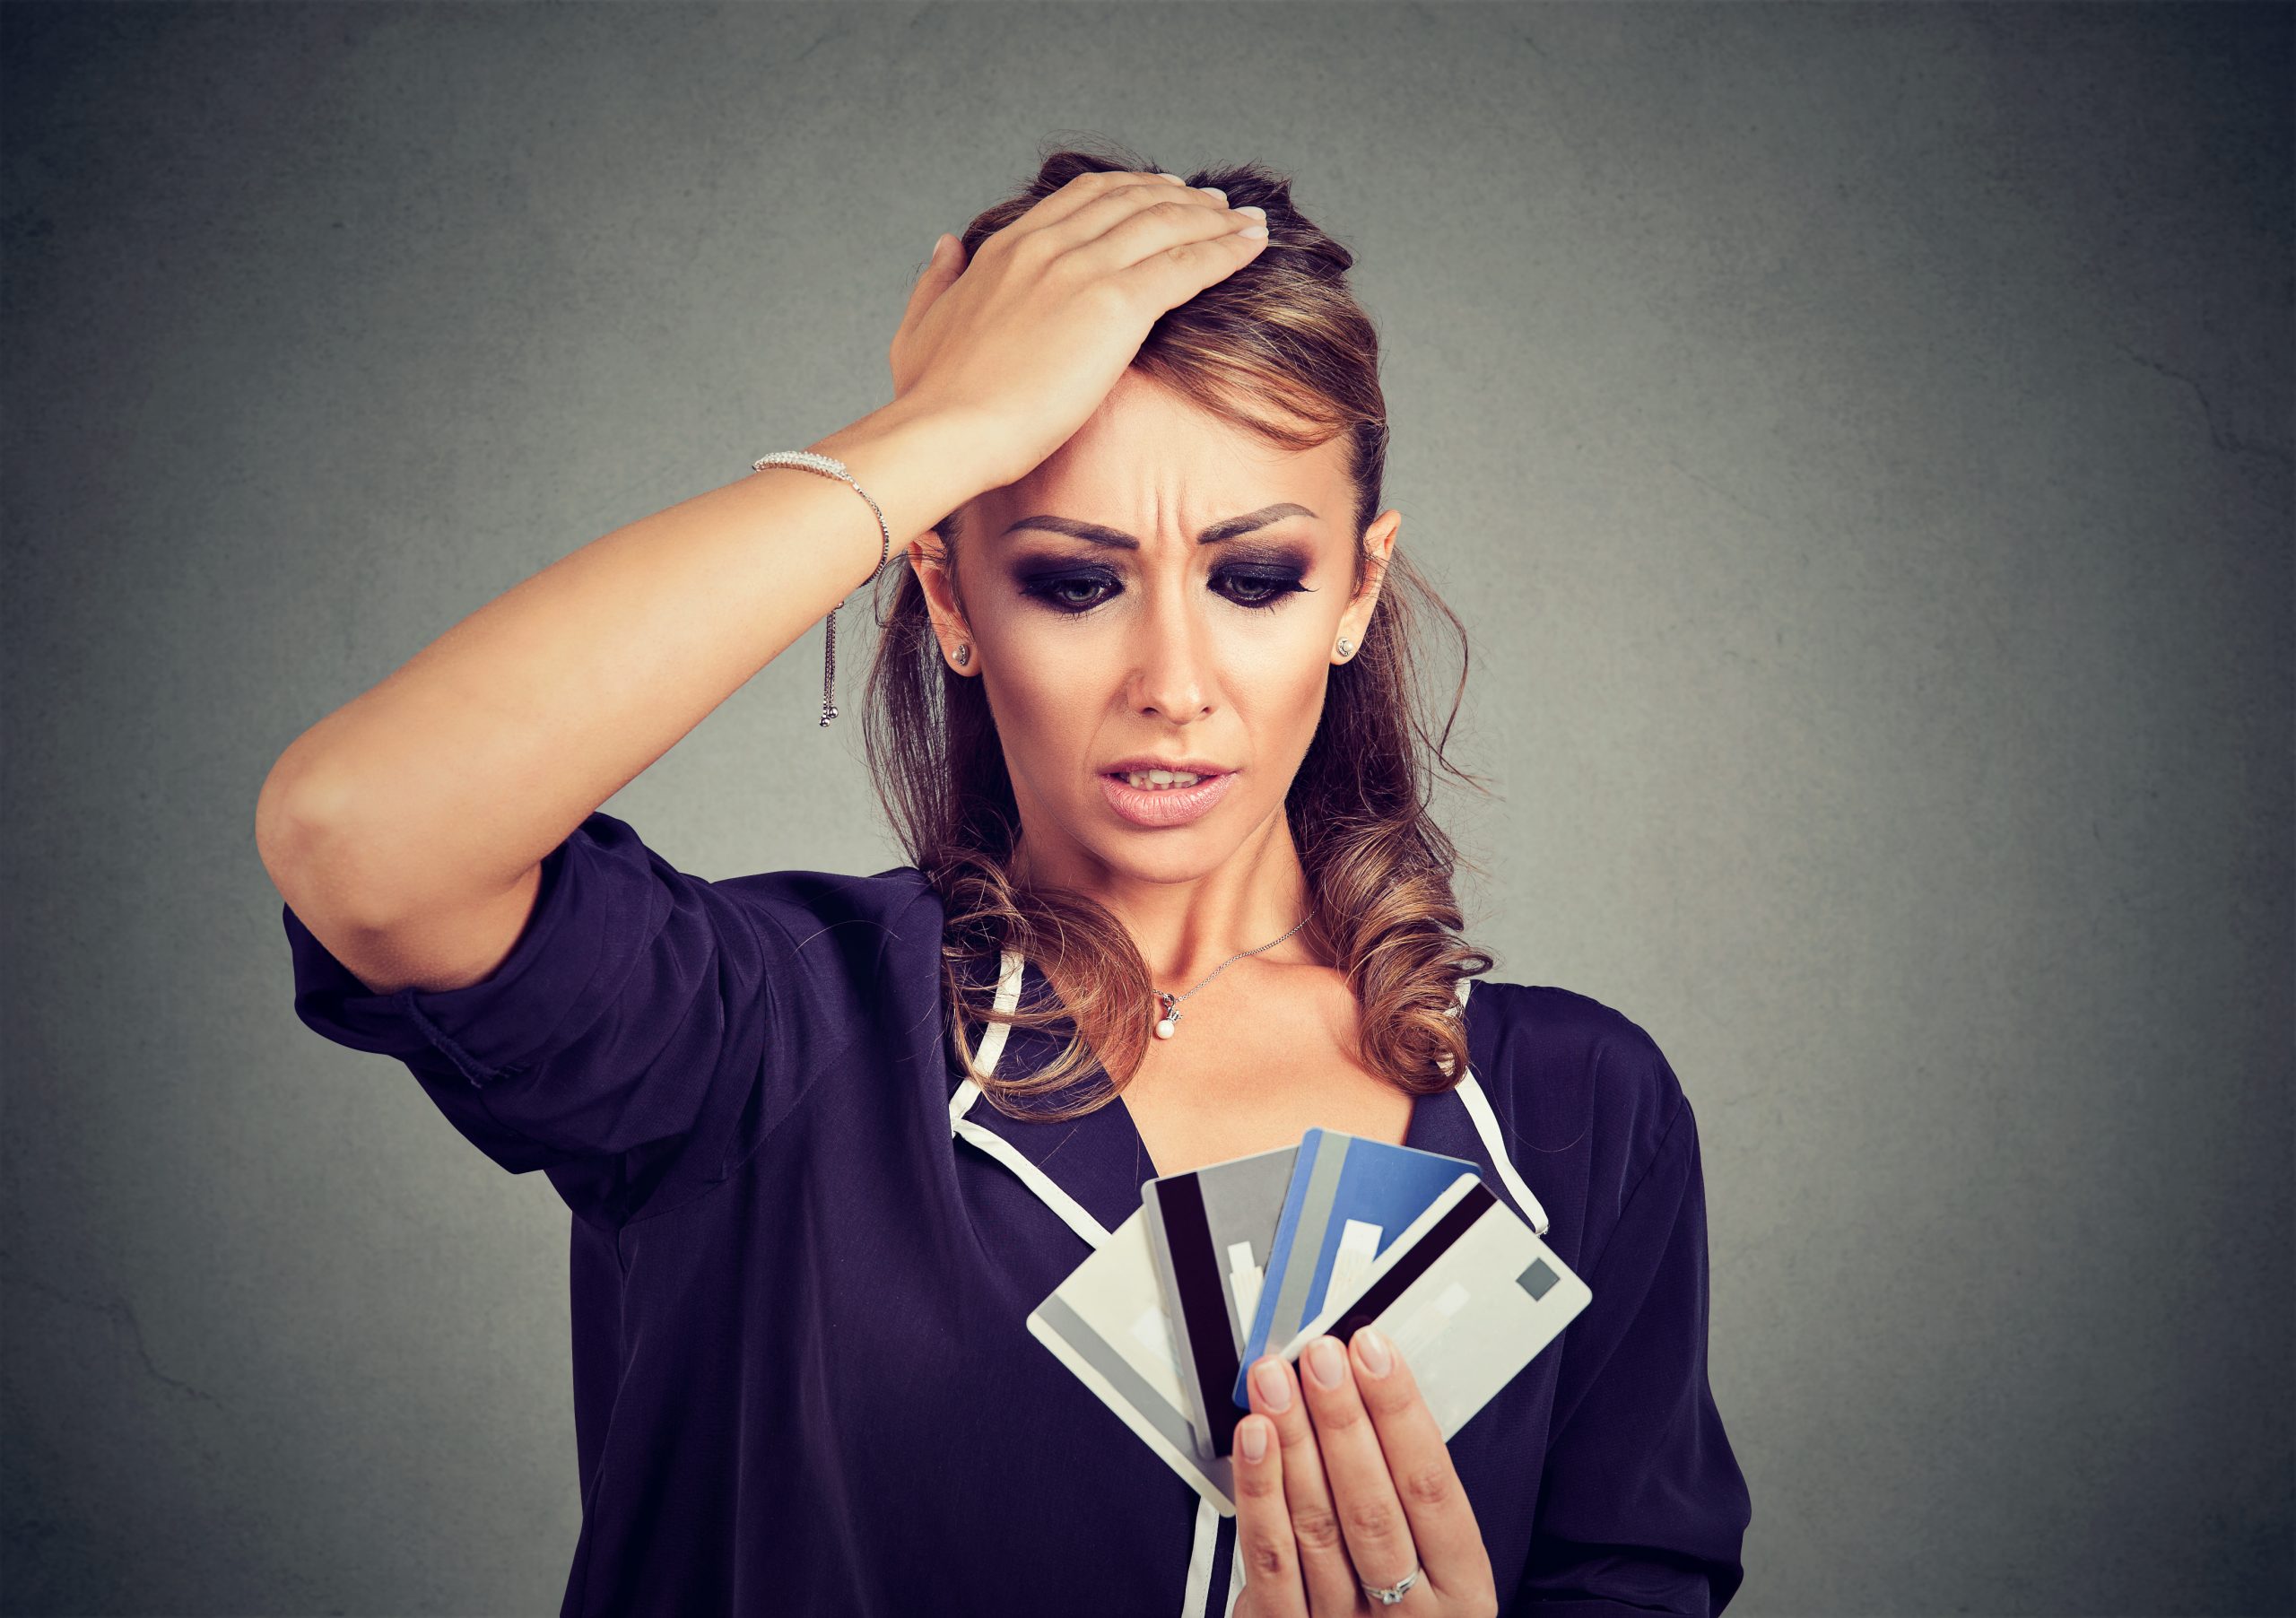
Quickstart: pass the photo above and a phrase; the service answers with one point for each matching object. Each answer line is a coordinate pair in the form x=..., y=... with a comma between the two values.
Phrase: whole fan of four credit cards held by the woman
x=1271, y=1252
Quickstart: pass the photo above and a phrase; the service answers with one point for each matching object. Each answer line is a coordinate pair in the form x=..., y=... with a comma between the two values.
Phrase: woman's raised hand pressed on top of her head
x=1032, y=336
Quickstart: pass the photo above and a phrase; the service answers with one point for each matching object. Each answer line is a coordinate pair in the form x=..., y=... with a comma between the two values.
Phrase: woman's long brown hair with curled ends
x=1285, y=350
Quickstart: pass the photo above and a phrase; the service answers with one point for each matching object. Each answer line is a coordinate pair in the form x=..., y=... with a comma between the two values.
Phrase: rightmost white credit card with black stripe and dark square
x=1468, y=1296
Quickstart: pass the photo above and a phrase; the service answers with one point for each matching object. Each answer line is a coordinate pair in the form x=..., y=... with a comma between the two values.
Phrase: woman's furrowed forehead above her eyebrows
x=1158, y=465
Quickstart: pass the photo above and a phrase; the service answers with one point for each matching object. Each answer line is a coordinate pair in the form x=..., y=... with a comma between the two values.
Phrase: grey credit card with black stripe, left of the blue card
x=1211, y=1231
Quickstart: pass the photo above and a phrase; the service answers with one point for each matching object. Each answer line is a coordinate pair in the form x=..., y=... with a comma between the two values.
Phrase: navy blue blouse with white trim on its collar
x=805, y=1252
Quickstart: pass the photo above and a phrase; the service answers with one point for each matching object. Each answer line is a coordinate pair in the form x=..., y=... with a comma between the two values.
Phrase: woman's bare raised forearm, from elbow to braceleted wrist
x=476, y=759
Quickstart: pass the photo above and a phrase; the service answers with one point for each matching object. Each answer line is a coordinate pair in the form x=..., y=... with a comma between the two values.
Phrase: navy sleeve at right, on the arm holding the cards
x=1643, y=1504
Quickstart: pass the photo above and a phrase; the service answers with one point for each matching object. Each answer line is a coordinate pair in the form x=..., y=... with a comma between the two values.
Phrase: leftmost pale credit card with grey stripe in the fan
x=1110, y=1328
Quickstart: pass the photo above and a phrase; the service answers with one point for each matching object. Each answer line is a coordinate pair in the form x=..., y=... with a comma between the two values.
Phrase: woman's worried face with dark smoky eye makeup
x=1163, y=589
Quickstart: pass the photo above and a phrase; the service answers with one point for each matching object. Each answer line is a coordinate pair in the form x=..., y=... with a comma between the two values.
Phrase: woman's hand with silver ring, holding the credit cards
x=1353, y=1486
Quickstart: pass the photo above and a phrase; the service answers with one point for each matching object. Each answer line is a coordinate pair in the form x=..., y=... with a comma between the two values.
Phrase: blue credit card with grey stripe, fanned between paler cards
x=1347, y=1204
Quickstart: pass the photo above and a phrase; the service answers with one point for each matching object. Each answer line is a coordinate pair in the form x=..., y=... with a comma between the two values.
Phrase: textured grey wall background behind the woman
x=1859, y=439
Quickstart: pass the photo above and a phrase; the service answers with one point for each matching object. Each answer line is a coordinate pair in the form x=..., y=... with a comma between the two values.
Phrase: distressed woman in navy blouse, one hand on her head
x=830, y=1139
